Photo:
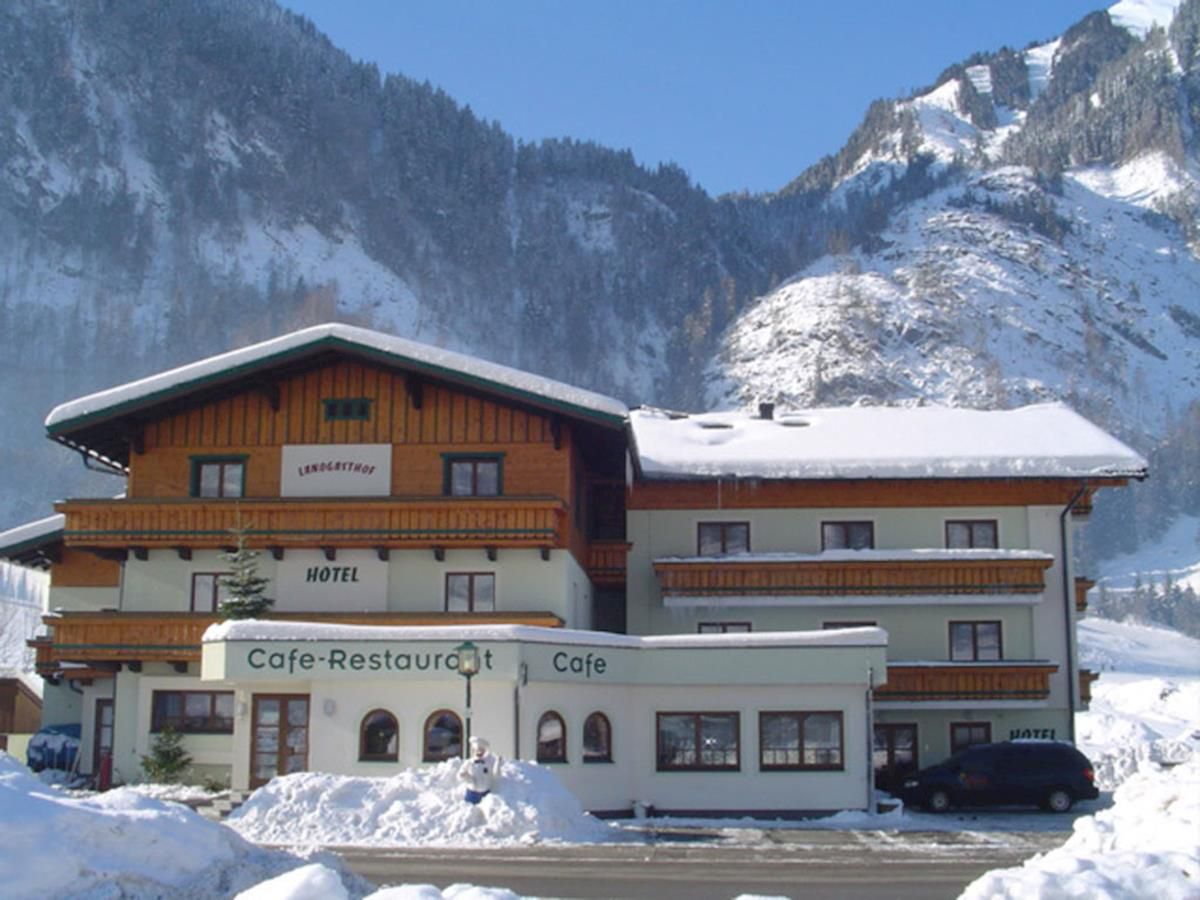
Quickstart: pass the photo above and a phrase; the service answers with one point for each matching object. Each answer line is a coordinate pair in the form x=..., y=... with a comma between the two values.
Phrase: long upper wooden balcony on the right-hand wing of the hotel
x=815, y=577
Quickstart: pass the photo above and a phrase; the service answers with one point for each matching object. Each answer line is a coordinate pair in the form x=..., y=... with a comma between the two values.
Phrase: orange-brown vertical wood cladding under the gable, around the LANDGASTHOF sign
x=422, y=422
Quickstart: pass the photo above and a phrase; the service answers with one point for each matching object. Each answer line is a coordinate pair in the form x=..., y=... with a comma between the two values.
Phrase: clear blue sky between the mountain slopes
x=742, y=94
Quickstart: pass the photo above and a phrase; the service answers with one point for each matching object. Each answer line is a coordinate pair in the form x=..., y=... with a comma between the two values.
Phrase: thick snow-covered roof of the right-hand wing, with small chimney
x=1046, y=441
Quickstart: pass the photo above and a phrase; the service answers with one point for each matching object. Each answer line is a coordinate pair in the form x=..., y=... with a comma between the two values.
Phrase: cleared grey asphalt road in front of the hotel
x=922, y=866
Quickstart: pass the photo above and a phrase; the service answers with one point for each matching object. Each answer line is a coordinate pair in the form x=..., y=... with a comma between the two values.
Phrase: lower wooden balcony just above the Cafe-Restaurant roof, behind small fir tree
x=97, y=643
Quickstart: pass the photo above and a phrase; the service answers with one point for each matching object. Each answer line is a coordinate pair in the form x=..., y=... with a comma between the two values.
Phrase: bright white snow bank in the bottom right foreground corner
x=1148, y=845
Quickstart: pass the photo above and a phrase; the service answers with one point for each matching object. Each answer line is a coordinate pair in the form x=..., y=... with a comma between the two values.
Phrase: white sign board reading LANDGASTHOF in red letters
x=337, y=471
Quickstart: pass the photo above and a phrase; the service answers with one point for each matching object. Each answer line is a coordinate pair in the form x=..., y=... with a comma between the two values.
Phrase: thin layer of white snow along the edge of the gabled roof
x=436, y=361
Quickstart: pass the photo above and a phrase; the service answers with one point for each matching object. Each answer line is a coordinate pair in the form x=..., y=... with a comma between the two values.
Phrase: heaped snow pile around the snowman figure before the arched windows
x=419, y=807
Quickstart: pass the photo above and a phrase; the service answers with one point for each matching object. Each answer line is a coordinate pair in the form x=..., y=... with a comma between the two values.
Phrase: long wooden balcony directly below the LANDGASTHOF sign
x=344, y=523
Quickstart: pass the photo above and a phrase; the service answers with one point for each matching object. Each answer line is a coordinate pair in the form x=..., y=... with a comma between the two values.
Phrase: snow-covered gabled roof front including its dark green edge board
x=387, y=349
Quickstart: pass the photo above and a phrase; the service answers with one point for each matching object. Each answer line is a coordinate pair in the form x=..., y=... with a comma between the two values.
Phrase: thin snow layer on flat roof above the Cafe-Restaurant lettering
x=266, y=631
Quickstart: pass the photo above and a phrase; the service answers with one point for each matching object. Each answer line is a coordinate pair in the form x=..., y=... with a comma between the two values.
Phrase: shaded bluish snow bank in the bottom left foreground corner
x=119, y=845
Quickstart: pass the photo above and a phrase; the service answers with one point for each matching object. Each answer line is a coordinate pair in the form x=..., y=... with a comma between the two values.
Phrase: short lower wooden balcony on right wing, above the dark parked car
x=967, y=681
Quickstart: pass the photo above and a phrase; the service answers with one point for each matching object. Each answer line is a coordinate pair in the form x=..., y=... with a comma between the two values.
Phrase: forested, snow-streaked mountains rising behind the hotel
x=184, y=178
